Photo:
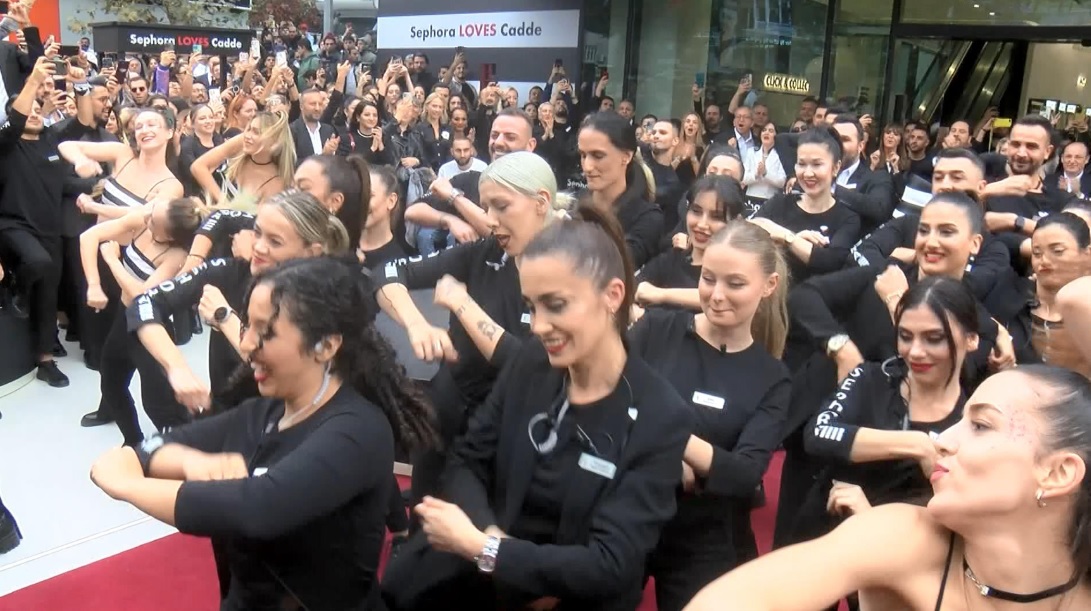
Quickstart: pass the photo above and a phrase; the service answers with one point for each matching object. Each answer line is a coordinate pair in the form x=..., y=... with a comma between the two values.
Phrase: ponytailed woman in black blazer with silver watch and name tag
x=558, y=492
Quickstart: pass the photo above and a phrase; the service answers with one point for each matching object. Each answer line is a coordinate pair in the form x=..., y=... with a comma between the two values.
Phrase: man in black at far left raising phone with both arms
x=31, y=219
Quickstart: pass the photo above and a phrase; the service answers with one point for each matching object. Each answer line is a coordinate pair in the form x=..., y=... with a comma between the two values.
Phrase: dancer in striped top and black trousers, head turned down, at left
x=155, y=244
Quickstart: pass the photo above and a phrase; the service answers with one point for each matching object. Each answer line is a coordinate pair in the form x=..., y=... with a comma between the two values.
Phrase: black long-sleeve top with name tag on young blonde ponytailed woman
x=740, y=405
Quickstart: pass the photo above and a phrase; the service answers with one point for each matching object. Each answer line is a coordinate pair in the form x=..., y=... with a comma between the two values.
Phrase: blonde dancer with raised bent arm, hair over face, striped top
x=261, y=163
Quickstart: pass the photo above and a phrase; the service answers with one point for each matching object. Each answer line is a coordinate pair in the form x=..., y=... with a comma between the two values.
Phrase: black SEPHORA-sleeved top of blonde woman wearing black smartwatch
x=176, y=297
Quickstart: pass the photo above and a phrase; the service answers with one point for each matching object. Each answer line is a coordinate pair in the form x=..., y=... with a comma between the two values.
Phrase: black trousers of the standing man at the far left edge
x=37, y=261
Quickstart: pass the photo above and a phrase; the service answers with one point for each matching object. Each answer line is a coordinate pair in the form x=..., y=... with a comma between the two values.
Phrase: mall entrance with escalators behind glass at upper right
x=945, y=74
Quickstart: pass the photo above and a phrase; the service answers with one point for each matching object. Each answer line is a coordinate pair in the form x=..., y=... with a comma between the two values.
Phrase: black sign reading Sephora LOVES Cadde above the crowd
x=123, y=38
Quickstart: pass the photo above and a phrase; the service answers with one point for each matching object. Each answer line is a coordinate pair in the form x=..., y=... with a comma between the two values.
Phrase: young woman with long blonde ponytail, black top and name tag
x=726, y=363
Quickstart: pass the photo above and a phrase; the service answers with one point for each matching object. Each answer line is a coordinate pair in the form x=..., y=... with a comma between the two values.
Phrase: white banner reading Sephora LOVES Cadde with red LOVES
x=525, y=30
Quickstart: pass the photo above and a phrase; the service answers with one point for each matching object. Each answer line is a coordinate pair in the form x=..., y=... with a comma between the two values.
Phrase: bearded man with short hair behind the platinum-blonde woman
x=453, y=205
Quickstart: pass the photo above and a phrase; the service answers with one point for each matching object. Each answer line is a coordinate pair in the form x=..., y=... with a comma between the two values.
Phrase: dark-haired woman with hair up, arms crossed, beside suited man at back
x=816, y=230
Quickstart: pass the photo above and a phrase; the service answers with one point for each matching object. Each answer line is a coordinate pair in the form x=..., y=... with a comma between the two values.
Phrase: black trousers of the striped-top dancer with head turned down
x=123, y=356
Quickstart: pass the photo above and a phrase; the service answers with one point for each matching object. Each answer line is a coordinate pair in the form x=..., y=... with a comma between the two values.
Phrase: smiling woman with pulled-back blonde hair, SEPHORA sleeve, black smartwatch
x=292, y=225
